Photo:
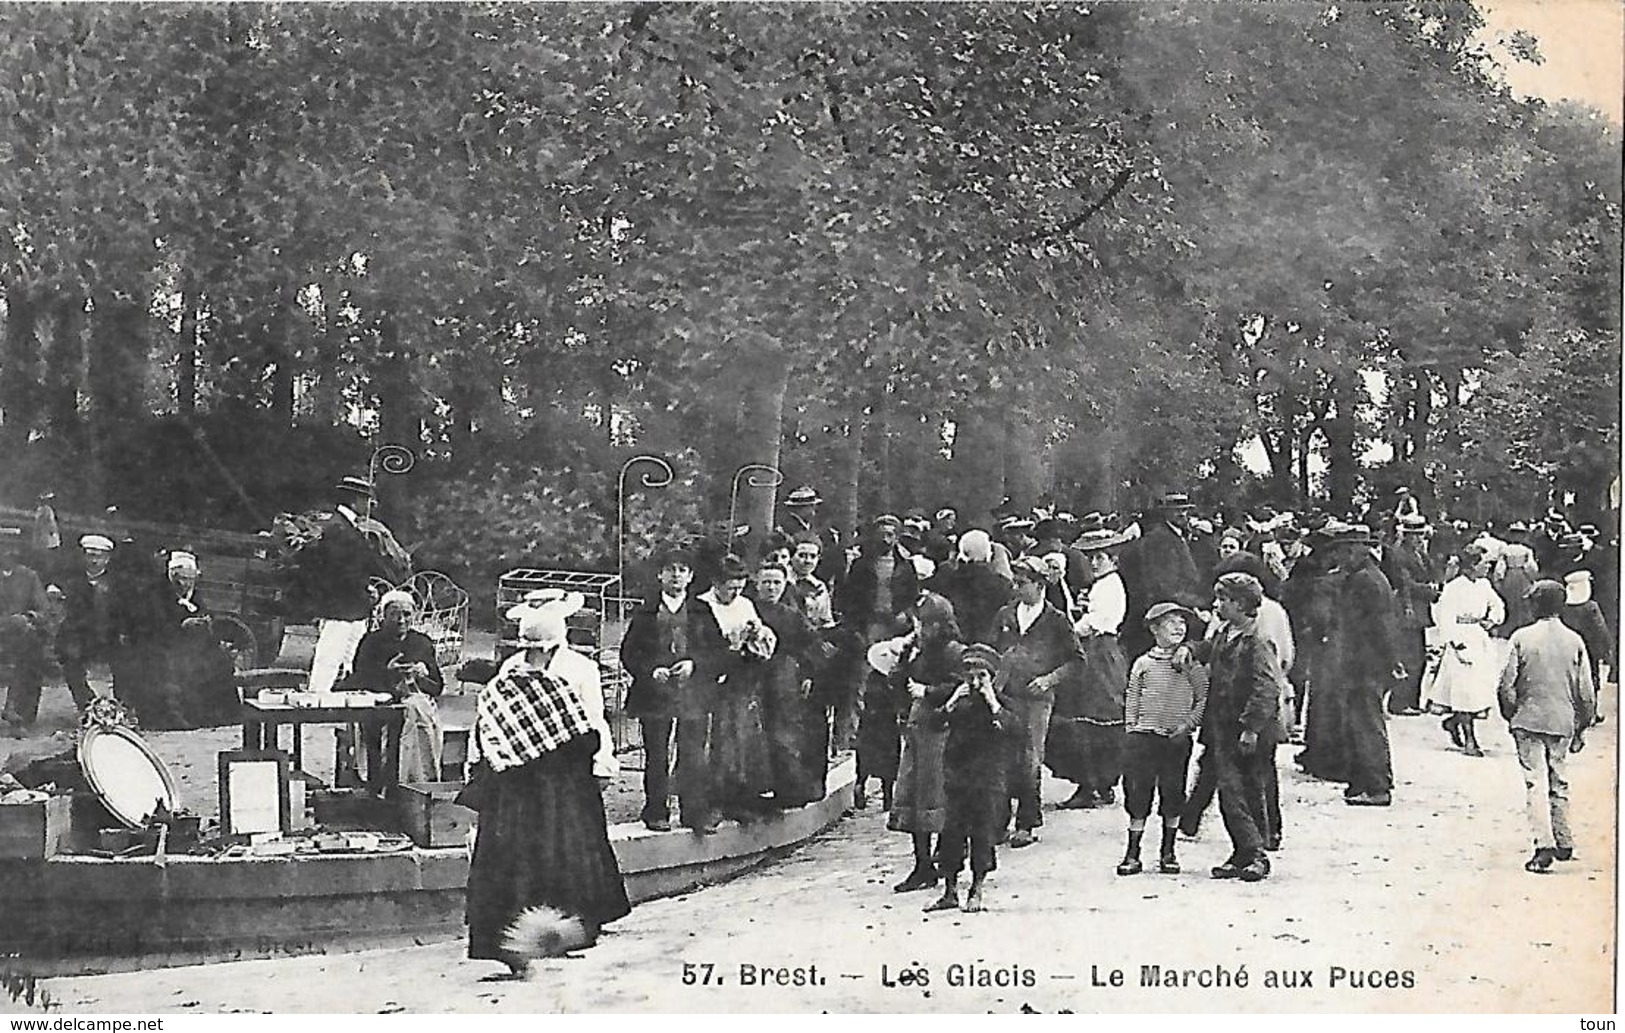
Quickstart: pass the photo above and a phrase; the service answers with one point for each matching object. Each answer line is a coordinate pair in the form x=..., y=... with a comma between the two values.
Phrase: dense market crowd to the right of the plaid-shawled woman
x=964, y=660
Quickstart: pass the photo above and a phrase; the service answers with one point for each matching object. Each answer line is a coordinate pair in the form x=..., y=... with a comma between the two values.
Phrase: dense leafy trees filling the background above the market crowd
x=909, y=253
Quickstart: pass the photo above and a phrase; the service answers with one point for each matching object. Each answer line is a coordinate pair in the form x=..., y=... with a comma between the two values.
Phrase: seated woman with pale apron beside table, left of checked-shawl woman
x=397, y=660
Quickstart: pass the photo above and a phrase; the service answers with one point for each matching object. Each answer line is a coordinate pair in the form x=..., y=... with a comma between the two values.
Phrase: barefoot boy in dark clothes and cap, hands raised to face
x=976, y=776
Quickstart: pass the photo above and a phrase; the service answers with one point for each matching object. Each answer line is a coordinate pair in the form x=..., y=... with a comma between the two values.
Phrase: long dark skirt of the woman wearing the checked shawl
x=544, y=841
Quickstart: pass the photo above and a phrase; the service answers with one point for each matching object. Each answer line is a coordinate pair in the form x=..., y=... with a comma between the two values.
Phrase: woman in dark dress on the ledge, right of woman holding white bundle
x=794, y=719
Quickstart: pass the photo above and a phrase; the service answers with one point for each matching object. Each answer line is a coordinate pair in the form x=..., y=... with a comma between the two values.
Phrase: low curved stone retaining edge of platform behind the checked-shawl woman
x=77, y=915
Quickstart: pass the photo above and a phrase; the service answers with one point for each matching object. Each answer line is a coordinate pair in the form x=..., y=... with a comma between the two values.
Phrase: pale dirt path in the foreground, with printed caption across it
x=1432, y=888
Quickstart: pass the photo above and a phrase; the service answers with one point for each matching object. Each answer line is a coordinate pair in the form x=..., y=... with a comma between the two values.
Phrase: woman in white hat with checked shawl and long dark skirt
x=542, y=741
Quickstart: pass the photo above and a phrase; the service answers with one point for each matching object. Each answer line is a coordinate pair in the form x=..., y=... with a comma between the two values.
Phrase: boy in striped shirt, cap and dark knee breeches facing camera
x=1163, y=711
